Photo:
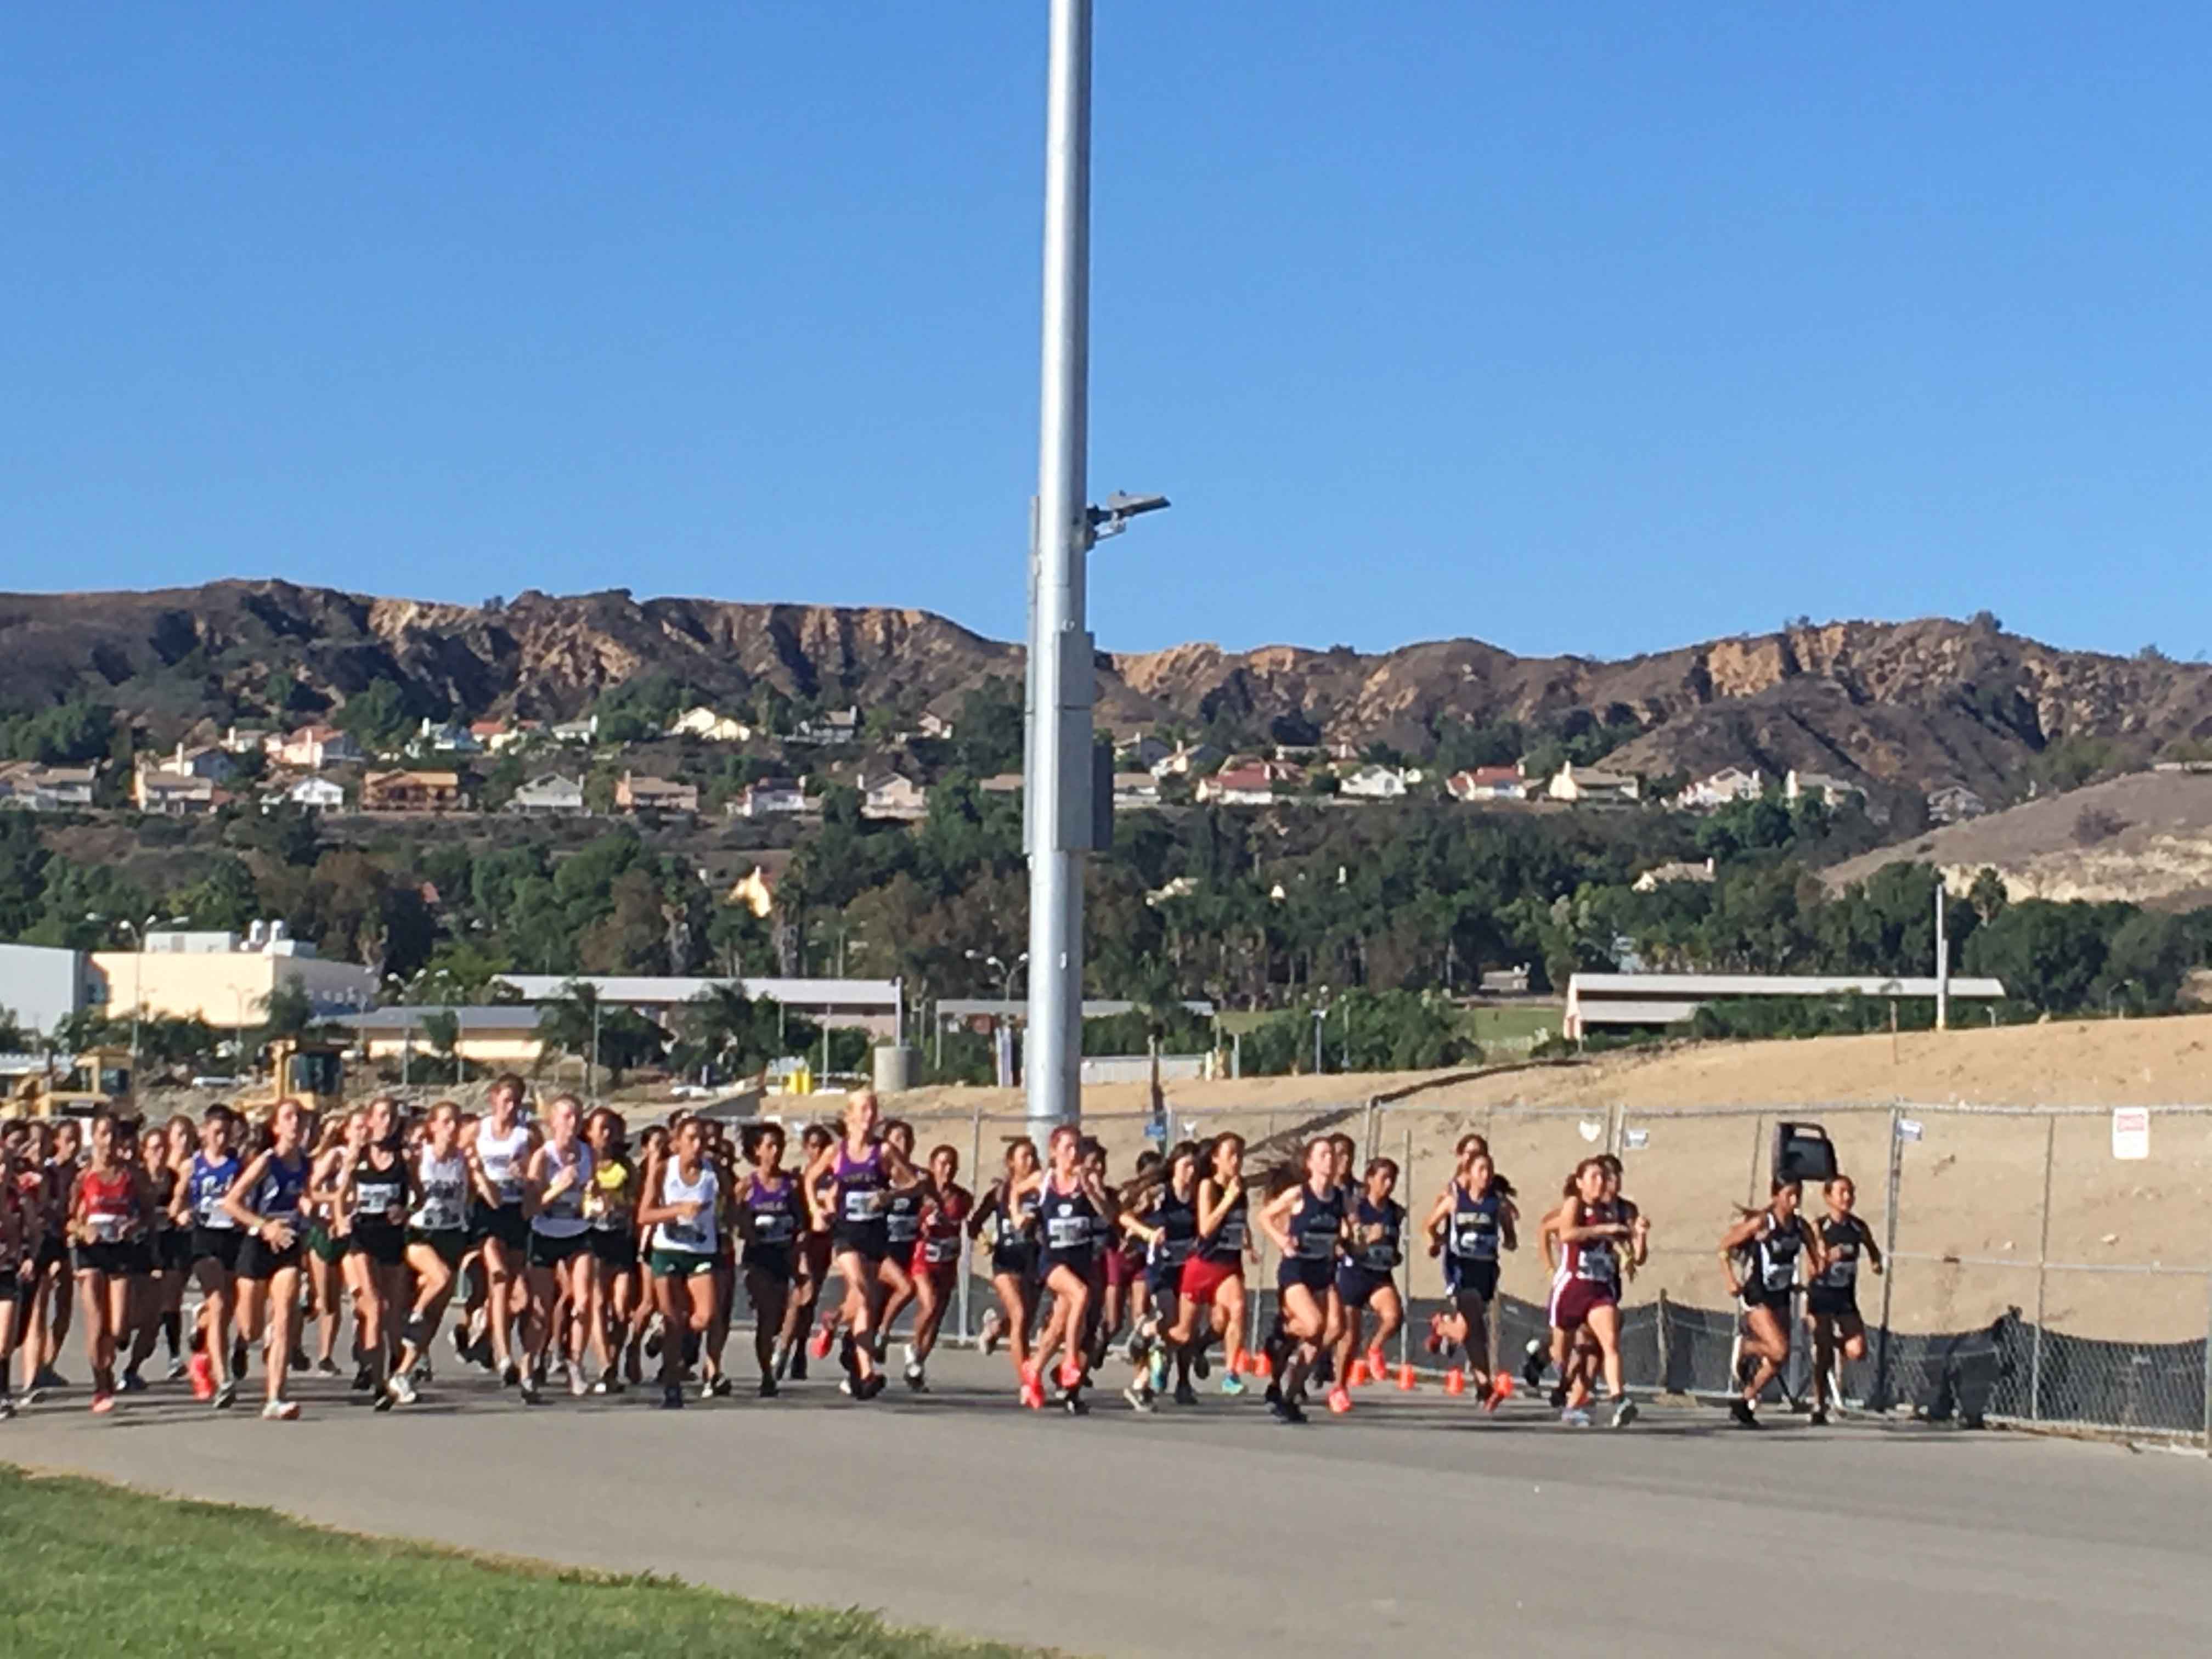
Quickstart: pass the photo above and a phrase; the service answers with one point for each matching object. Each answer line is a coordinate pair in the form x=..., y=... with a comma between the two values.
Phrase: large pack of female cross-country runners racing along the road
x=570, y=1255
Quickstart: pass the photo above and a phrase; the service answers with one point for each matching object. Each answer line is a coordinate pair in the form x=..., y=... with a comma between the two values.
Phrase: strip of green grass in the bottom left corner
x=105, y=1572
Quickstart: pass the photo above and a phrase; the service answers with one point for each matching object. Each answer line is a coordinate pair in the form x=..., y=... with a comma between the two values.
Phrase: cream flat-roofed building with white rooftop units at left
x=222, y=979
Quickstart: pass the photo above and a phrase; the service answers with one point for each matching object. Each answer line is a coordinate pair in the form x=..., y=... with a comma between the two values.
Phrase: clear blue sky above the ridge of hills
x=1574, y=328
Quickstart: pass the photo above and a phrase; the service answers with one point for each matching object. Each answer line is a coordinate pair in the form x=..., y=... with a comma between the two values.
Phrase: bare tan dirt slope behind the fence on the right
x=1972, y=1187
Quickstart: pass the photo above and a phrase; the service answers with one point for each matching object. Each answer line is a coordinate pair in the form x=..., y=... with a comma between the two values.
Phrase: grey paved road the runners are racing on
x=1417, y=1525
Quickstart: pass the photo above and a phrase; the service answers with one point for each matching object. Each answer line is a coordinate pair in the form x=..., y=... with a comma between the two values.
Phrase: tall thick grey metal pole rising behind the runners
x=1061, y=651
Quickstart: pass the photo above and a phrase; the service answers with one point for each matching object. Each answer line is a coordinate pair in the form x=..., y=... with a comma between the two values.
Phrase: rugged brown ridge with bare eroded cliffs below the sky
x=1895, y=707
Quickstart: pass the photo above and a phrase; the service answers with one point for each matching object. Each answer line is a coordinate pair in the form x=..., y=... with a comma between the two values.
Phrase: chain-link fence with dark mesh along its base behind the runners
x=2032, y=1275
